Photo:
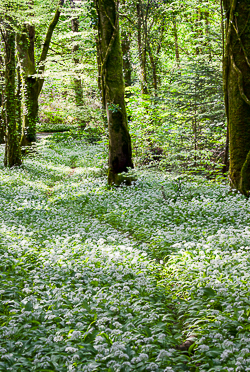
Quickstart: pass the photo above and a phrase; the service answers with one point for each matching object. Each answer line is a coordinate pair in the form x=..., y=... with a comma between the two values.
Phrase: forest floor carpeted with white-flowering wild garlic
x=94, y=278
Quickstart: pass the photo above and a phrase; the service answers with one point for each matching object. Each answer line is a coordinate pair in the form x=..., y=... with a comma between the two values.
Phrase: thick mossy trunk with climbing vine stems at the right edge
x=237, y=91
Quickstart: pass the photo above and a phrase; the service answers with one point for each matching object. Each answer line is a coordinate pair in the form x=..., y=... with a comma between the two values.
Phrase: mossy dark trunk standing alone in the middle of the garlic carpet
x=120, y=154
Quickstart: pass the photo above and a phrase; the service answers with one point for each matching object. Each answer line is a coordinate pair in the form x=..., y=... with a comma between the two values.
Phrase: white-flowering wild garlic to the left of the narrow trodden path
x=66, y=310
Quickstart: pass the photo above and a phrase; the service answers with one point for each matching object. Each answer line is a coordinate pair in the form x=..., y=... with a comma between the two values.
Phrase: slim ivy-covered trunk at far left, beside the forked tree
x=12, y=148
